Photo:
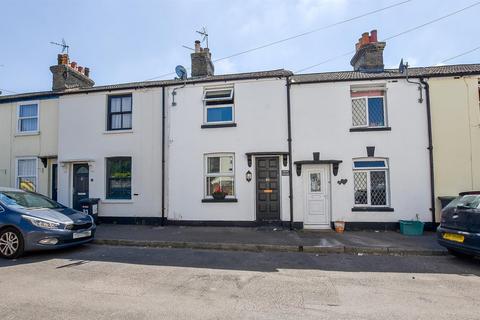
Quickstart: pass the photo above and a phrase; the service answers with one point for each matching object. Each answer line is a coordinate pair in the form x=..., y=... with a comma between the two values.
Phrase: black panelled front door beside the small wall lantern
x=268, y=192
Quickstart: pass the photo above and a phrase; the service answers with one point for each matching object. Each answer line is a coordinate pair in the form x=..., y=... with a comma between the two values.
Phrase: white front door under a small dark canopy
x=317, y=194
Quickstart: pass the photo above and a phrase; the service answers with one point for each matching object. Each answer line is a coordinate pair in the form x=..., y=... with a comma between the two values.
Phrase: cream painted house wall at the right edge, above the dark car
x=456, y=135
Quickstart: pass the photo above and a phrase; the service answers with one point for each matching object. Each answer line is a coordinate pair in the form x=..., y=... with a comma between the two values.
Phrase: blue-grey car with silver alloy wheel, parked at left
x=30, y=221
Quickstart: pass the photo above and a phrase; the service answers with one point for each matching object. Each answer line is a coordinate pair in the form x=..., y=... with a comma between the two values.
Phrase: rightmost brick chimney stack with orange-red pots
x=369, y=53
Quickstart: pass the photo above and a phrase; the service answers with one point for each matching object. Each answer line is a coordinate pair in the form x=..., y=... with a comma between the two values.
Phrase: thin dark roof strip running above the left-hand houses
x=279, y=73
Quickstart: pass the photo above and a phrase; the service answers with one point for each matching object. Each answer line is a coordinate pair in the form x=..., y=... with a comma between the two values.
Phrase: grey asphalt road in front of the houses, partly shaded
x=114, y=282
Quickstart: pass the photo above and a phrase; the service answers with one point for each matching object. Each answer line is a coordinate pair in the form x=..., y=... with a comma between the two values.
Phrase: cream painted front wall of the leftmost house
x=14, y=145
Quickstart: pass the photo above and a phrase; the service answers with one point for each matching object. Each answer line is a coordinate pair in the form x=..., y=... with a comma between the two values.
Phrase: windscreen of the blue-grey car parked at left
x=27, y=200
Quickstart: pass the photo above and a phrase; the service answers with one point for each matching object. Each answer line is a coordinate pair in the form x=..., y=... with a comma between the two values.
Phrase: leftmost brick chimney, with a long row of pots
x=67, y=75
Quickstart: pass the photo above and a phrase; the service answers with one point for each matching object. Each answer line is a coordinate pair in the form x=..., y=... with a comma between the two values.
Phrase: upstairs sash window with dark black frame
x=119, y=112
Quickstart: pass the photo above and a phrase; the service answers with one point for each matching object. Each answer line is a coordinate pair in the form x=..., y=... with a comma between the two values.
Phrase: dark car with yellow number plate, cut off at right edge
x=459, y=229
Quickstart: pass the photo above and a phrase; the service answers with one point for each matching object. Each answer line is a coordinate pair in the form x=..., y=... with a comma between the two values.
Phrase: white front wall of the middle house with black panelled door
x=260, y=115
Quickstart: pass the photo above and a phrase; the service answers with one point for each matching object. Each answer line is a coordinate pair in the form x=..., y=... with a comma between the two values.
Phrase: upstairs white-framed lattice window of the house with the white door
x=368, y=108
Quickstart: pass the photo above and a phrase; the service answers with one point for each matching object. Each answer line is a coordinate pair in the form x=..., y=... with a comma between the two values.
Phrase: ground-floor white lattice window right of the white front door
x=371, y=182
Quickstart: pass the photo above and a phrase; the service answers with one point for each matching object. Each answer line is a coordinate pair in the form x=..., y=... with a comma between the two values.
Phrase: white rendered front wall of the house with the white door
x=321, y=121
